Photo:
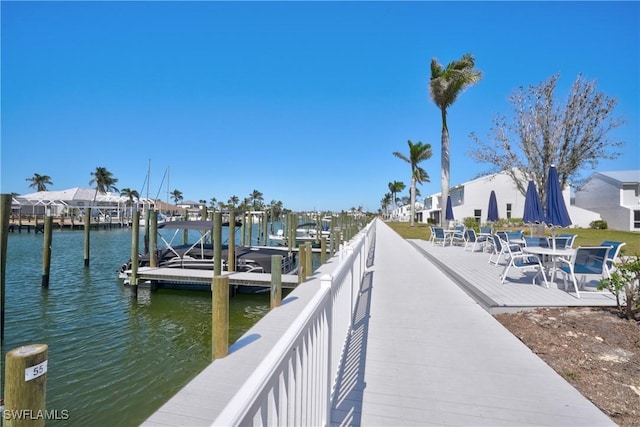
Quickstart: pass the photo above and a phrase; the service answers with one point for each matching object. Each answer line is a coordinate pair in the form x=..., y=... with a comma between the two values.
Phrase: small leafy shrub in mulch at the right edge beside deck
x=624, y=283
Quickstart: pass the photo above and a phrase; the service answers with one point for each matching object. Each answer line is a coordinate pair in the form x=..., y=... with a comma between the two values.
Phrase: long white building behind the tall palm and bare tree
x=471, y=199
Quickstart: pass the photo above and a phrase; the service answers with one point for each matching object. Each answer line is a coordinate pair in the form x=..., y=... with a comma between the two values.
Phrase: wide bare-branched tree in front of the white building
x=543, y=132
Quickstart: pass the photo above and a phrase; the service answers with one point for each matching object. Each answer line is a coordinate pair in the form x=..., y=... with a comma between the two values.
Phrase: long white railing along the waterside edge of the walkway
x=294, y=383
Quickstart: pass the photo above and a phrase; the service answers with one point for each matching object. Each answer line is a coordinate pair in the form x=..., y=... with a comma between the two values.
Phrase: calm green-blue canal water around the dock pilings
x=113, y=359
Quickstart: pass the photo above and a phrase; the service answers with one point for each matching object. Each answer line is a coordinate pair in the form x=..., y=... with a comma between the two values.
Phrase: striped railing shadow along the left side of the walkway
x=346, y=408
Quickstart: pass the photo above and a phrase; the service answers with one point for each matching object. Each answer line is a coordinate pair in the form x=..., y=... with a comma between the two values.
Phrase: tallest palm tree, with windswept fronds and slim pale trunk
x=444, y=87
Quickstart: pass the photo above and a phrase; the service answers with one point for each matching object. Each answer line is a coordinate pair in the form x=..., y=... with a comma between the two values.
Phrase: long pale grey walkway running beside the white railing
x=423, y=352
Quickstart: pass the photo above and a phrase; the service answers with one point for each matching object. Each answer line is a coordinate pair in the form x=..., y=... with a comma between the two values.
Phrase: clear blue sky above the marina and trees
x=302, y=101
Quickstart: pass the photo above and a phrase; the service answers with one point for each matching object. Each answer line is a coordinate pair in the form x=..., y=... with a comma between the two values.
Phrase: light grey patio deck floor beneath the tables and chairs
x=481, y=280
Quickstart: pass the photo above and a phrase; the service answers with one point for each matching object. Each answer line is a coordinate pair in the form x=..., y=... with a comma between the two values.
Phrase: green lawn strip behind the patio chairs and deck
x=586, y=236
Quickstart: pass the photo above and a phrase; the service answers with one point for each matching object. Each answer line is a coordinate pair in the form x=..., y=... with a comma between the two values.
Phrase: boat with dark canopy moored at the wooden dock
x=199, y=255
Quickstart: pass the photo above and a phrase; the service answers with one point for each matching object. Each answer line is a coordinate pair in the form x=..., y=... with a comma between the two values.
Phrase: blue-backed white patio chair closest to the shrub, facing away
x=587, y=261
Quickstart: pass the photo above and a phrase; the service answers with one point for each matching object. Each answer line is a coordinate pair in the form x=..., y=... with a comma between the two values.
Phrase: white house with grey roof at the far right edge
x=615, y=196
